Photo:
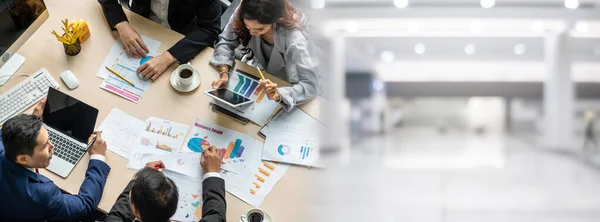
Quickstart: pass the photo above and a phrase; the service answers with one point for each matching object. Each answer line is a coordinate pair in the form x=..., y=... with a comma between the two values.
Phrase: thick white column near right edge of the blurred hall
x=559, y=94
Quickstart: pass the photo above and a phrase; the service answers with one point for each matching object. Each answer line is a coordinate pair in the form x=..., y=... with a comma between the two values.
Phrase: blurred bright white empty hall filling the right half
x=459, y=110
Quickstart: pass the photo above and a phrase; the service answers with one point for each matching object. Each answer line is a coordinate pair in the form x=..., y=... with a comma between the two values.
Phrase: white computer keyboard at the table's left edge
x=27, y=93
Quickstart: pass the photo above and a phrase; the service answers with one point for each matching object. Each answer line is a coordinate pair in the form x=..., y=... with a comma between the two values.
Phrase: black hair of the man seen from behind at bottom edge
x=154, y=195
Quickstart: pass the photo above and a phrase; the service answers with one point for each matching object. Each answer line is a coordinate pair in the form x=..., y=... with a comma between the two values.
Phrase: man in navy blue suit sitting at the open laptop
x=26, y=195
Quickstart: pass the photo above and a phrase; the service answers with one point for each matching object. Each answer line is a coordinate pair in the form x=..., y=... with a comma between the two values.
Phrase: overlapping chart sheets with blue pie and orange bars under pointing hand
x=246, y=175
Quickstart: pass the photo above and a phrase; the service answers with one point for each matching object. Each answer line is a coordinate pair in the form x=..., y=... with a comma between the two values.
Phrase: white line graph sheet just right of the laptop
x=121, y=132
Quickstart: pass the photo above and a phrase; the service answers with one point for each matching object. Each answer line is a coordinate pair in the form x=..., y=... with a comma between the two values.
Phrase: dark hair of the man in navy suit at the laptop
x=19, y=135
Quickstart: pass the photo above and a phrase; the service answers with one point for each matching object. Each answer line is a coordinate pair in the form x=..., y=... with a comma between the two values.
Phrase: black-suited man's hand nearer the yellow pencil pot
x=132, y=41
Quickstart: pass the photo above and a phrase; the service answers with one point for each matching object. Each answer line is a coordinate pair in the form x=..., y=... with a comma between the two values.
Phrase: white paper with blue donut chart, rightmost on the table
x=293, y=137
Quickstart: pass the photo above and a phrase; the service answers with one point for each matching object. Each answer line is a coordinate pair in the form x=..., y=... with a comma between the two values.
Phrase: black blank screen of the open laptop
x=69, y=115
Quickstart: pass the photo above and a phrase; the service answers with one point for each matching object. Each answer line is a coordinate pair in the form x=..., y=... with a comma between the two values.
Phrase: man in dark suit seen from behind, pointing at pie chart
x=152, y=197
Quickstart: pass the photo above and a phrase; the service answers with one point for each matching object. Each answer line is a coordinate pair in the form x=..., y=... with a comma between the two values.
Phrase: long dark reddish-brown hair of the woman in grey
x=280, y=12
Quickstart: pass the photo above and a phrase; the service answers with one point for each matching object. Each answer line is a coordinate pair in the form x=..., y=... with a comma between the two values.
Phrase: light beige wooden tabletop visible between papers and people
x=285, y=203
